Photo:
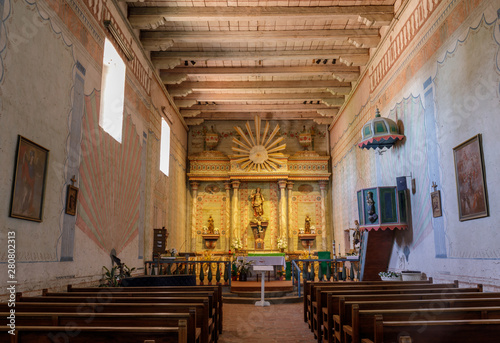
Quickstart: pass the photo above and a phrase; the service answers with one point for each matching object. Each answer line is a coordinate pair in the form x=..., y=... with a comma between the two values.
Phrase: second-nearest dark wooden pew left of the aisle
x=110, y=320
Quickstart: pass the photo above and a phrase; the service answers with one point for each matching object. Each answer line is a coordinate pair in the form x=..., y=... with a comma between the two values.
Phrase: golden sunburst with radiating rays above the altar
x=258, y=152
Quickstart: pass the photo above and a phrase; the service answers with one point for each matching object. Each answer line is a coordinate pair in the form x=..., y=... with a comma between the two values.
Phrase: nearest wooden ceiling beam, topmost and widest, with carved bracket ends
x=153, y=17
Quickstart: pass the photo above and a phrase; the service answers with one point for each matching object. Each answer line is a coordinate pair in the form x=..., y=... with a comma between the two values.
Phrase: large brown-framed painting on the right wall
x=471, y=181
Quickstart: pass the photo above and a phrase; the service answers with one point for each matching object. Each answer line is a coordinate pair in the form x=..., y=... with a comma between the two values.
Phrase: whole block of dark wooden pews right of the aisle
x=400, y=311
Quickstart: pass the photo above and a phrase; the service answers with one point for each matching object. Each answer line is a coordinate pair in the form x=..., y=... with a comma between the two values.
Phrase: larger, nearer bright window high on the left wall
x=112, y=92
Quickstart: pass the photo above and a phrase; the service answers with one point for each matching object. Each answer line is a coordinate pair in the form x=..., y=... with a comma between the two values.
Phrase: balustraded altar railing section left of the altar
x=220, y=269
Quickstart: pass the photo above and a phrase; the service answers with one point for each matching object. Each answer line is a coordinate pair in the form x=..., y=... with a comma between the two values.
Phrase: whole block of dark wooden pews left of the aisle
x=131, y=314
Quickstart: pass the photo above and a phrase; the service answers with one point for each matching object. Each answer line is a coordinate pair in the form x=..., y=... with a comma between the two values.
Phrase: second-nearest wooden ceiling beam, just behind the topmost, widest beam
x=162, y=40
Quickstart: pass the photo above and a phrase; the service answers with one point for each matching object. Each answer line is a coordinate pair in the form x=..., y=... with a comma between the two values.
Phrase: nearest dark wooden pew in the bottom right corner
x=436, y=331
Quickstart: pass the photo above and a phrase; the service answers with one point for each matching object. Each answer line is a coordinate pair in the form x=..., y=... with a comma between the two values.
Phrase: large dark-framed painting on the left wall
x=30, y=173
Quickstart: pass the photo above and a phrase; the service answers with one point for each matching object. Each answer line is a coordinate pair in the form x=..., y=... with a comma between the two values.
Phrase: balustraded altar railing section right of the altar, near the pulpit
x=323, y=270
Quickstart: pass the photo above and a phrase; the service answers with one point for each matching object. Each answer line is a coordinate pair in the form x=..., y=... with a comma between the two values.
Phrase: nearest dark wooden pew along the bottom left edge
x=95, y=334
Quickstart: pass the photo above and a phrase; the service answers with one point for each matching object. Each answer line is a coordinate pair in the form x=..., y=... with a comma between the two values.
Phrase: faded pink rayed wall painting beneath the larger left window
x=109, y=182
